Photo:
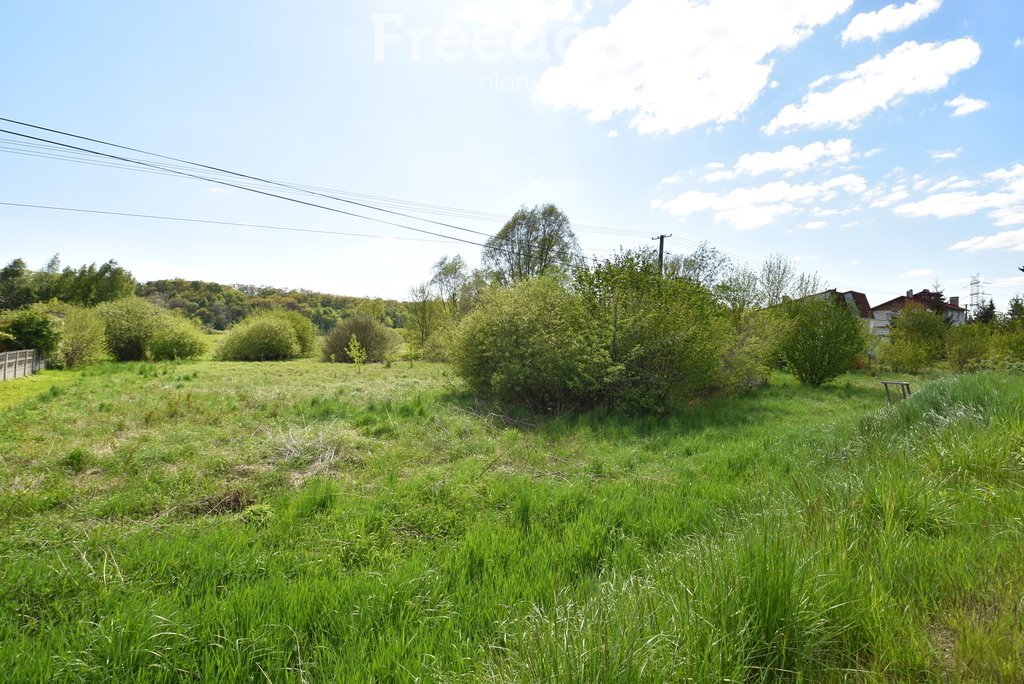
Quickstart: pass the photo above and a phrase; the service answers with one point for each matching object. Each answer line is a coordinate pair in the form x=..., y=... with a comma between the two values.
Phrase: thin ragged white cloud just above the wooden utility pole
x=748, y=208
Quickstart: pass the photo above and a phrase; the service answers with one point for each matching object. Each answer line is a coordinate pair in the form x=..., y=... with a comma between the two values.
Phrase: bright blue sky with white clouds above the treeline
x=876, y=144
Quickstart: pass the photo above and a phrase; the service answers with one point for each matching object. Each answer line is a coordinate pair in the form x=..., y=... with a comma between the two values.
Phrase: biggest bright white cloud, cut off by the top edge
x=675, y=66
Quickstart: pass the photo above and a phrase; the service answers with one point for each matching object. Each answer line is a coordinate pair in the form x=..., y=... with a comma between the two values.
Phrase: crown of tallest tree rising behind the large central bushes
x=534, y=242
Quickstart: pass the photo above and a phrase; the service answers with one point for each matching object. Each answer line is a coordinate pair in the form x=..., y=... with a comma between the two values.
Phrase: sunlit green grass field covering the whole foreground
x=306, y=523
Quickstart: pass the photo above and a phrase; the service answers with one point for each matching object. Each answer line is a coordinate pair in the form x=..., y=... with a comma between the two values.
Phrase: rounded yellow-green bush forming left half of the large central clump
x=534, y=344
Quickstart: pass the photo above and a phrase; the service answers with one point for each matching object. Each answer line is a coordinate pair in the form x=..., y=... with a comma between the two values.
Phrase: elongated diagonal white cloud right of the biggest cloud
x=880, y=83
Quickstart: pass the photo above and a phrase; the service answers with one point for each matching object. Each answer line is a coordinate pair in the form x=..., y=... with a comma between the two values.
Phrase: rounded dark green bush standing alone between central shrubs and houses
x=823, y=340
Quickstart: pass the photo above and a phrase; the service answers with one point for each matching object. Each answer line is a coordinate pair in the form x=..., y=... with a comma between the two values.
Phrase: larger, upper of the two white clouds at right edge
x=1004, y=202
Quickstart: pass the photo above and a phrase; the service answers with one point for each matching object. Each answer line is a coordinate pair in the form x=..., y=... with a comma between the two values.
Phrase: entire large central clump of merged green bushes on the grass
x=616, y=335
